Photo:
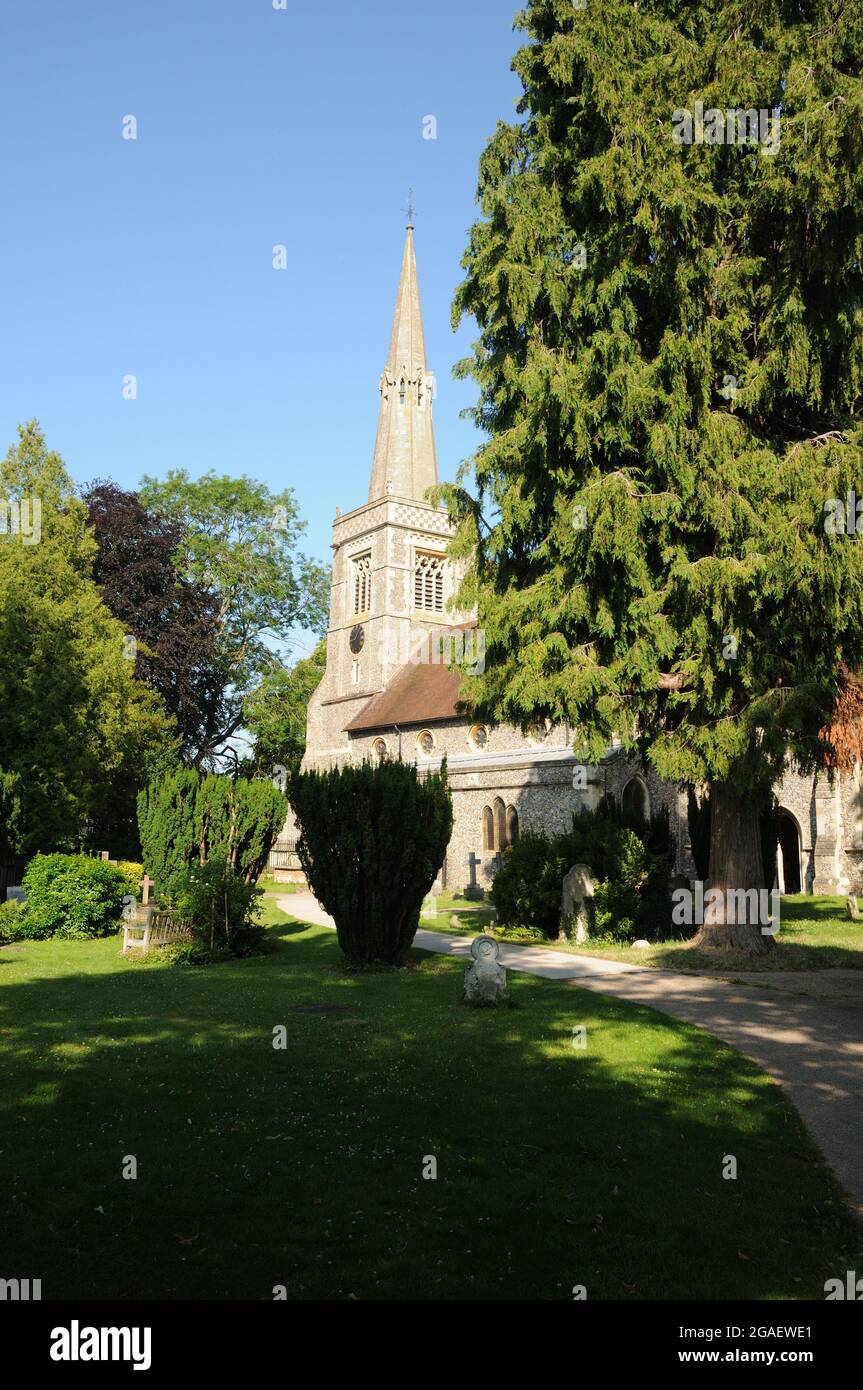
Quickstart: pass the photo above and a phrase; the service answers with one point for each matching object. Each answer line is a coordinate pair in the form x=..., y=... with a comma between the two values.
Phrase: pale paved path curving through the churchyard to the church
x=804, y=1028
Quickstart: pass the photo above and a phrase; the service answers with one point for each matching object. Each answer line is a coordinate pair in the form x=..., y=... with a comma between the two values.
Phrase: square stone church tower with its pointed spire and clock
x=391, y=578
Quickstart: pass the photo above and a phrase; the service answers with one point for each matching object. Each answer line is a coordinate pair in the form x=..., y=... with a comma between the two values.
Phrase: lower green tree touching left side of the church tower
x=276, y=711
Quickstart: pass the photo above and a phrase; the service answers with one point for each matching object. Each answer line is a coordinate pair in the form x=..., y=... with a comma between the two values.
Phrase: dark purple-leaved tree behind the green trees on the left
x=173, y=619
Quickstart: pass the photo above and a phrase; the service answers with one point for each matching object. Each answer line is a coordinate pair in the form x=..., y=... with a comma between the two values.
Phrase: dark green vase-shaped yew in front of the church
x=372, y=844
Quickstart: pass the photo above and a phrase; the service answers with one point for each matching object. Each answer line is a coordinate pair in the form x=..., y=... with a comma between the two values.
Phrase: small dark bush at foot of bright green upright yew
x=220, y=908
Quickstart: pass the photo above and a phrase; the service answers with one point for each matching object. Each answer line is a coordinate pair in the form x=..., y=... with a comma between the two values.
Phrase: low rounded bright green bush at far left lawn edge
x=73, y=897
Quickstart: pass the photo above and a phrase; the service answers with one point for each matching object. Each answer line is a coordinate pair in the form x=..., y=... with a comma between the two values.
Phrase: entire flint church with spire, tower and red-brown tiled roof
x=395, y=651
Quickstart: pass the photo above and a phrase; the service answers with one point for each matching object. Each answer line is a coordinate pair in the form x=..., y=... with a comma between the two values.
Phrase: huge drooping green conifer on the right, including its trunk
x=669, y=365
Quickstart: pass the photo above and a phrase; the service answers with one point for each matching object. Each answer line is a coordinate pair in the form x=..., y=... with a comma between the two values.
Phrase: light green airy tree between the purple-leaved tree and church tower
x=240, y=546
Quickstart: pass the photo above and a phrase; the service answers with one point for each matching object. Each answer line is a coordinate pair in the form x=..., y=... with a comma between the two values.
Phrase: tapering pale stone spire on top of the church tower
x=405, y=462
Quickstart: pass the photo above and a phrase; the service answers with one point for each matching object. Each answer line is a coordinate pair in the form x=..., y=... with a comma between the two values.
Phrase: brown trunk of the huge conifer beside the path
x=736, y=868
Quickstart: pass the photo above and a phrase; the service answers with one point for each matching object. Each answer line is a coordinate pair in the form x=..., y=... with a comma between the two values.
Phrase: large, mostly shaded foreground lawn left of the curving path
x=557, y=1167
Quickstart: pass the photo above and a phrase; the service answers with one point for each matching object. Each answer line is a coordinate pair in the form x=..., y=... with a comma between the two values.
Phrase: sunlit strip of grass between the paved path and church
x=815, y=935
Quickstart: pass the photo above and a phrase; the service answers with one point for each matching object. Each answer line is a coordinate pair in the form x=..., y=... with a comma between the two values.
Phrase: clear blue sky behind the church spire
x=155, y=256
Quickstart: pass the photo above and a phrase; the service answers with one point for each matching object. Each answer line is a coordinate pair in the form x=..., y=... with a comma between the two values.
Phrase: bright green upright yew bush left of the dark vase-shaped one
x=188, y=819
